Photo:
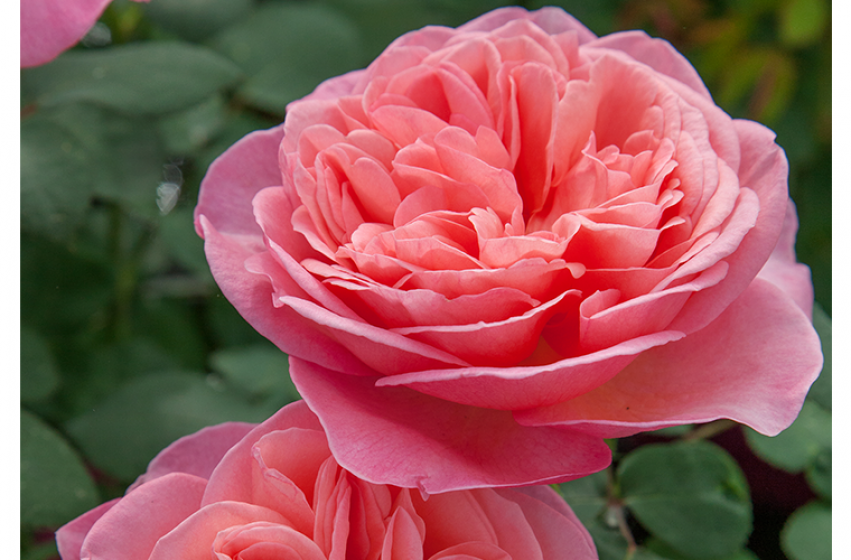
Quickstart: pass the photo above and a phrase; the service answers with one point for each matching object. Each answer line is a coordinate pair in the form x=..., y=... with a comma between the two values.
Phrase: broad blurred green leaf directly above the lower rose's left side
x=126, y=431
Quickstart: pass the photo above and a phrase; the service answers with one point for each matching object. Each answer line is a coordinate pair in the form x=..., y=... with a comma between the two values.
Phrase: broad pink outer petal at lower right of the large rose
x=754, y=364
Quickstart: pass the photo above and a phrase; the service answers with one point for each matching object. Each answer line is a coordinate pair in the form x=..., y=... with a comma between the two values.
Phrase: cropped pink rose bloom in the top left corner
x=49, y=27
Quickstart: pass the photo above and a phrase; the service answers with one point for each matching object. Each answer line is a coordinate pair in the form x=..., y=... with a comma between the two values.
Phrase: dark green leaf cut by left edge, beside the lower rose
x=55, y=486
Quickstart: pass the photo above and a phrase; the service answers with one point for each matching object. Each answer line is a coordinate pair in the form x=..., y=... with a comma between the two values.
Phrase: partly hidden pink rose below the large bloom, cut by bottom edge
x=274, y=491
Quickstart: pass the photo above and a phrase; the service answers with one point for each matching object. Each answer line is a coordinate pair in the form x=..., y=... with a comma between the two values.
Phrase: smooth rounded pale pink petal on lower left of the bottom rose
x=132, y=527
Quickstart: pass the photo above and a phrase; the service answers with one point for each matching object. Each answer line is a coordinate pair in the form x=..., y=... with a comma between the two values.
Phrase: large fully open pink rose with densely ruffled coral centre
x=499, y=244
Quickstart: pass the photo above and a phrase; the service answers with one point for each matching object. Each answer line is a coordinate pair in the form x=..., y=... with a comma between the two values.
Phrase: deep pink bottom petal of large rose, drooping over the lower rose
x=457, y=446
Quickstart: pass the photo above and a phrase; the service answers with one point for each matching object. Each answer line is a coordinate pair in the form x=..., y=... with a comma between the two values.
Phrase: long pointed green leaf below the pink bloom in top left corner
x=139, y=78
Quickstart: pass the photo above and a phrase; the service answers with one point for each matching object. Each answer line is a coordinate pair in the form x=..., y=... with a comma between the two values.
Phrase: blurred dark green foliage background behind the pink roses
x=127, y=344
